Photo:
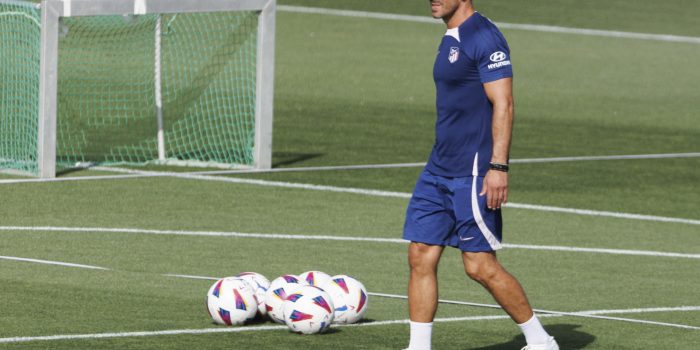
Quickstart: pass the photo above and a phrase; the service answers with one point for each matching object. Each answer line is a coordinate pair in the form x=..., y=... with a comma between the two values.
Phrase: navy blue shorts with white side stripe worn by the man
x=448, y=211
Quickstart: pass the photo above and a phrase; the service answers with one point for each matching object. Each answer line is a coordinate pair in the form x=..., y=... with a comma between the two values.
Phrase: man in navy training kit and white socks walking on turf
x=458, y=196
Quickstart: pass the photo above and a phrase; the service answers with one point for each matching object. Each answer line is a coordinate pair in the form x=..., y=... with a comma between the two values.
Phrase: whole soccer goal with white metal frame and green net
x=177, y=82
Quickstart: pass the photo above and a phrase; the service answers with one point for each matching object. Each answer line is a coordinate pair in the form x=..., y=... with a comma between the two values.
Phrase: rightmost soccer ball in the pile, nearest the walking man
x=349, y=297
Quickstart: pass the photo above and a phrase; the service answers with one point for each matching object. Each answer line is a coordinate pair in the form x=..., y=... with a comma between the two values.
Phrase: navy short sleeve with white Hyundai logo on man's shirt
x=493, y=57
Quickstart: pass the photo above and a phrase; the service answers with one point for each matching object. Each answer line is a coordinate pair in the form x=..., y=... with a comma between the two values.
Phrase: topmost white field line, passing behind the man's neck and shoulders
x=528, y=27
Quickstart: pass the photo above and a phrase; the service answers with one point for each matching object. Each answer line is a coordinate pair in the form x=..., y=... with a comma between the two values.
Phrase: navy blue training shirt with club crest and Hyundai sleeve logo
x=469, y=56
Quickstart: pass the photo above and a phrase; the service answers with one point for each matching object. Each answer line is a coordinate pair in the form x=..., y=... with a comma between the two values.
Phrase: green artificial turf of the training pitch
x=352, y=91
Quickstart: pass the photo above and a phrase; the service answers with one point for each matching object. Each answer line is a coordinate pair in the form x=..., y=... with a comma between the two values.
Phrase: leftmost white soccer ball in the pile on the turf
x=231, y=301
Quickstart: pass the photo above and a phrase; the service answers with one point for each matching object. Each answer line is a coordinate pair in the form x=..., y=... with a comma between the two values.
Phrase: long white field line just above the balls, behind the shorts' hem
x=331, y=238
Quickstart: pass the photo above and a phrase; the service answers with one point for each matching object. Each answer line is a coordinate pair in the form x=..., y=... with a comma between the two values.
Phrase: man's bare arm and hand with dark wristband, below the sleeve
x=500, y=93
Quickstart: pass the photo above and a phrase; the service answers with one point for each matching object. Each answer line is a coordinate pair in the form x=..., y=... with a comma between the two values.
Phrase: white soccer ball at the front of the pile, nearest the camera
x=309, y=310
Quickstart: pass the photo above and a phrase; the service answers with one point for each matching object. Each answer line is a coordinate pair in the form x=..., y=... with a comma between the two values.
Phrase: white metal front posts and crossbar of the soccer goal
x=53, y=10
